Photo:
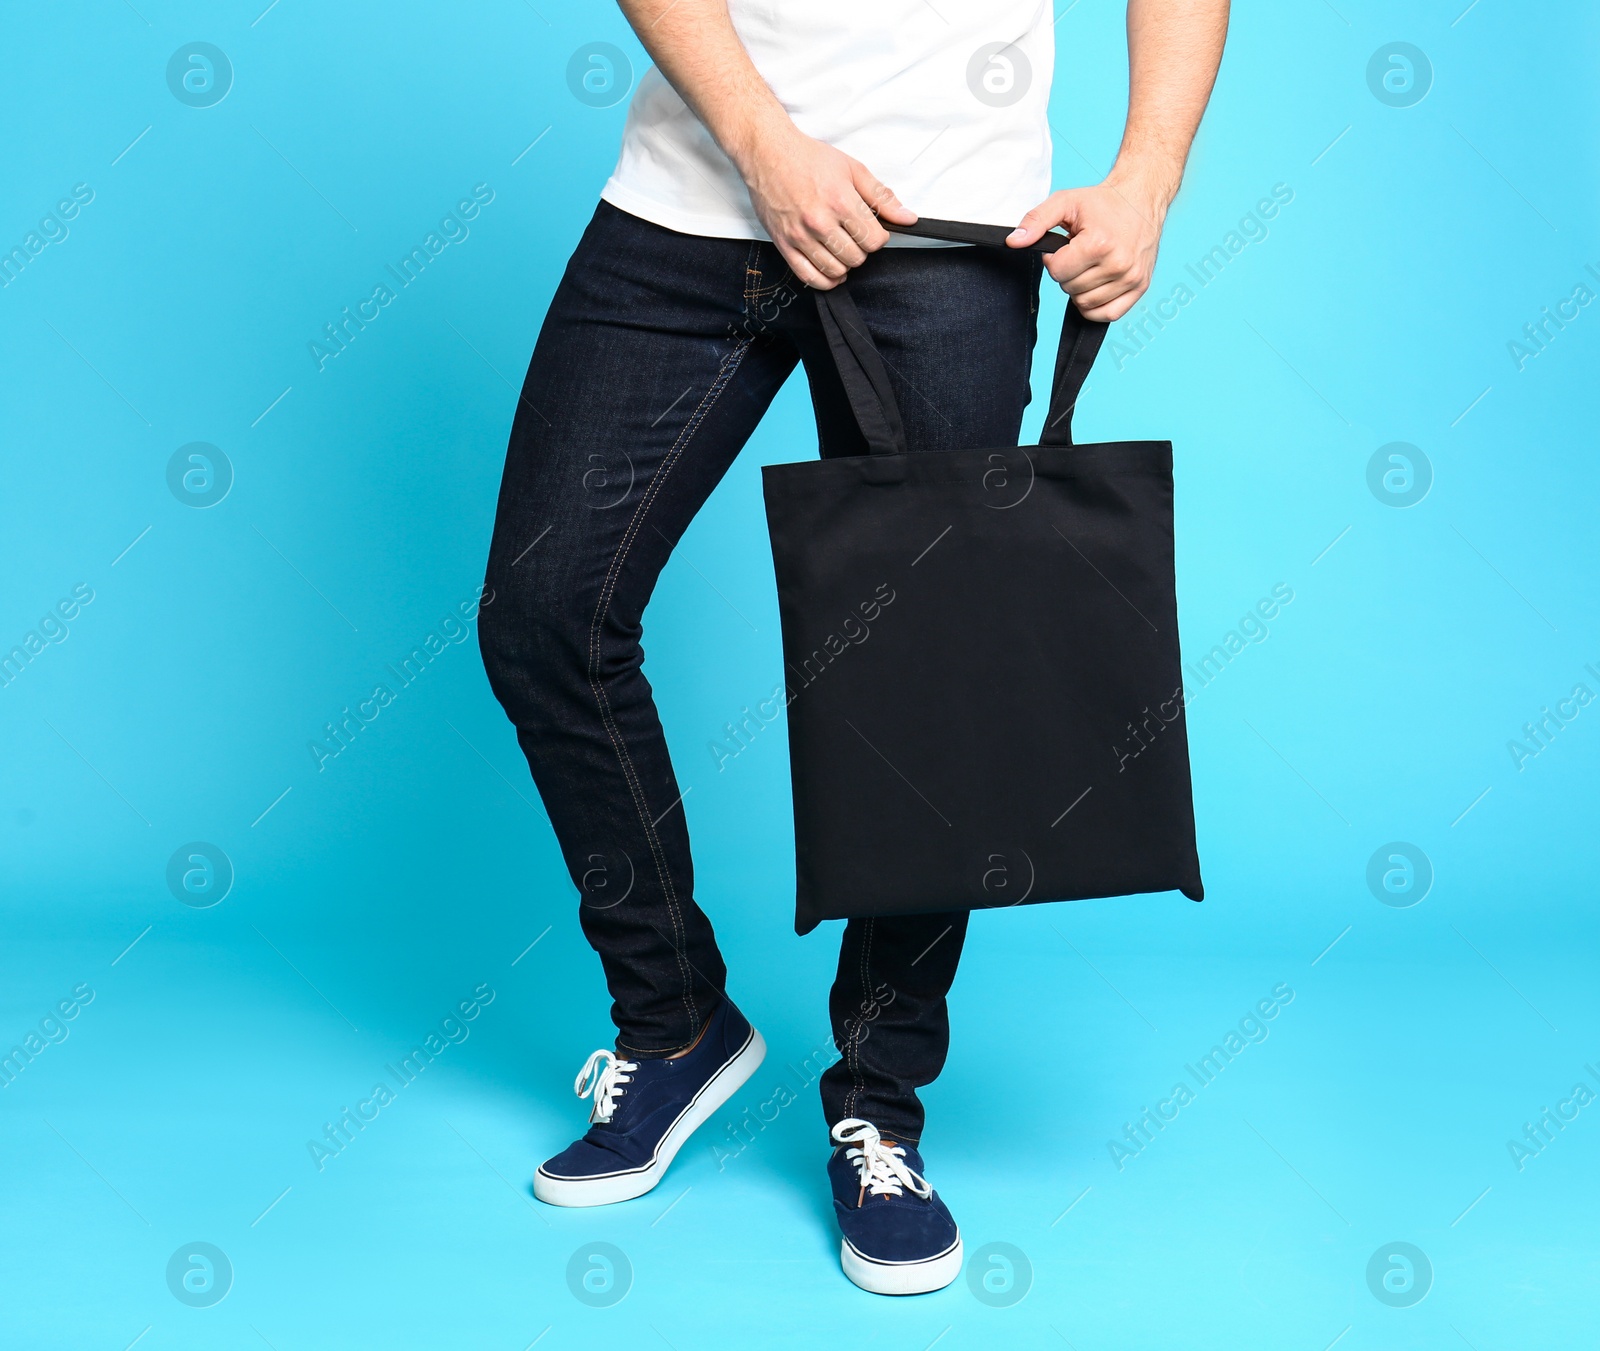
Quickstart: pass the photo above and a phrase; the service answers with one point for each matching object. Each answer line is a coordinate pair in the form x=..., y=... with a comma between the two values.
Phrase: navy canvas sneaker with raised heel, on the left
x=644, y=1110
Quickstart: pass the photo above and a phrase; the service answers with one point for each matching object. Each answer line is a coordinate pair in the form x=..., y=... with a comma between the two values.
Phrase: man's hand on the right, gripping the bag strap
x=1116, y=233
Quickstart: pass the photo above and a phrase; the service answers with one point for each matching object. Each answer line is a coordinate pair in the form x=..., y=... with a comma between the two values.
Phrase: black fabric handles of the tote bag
x=868, y=383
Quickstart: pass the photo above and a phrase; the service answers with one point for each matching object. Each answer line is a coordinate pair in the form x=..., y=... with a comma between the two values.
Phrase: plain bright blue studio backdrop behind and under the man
x=417, y=865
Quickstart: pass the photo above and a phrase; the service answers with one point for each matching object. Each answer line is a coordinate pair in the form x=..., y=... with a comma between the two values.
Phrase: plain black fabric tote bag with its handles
x=982, y=655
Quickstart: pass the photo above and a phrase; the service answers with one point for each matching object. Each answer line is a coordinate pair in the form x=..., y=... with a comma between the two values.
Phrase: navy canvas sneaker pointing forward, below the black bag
x=900, y=1238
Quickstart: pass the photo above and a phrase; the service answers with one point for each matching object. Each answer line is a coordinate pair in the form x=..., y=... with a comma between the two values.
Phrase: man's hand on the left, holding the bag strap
x=822, y=207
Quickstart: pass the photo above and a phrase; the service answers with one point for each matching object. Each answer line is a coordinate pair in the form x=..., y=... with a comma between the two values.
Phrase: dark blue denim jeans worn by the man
x=658, y=358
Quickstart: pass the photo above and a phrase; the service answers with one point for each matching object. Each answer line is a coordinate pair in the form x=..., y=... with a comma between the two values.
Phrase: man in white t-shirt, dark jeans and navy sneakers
x=762, y=158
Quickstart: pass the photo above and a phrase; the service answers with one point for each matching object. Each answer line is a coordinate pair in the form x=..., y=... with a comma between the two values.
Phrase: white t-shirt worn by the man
x=943, y=100
